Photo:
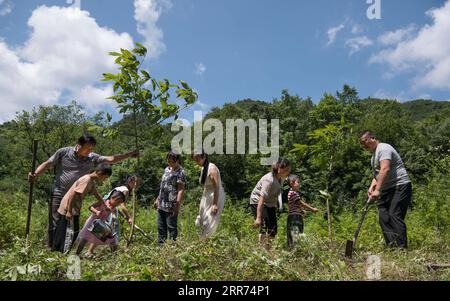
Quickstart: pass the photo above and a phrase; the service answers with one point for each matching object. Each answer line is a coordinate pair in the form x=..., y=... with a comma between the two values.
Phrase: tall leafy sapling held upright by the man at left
x=138, y=94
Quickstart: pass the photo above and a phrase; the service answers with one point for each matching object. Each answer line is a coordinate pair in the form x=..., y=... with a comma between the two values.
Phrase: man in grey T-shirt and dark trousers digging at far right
x=390, y=187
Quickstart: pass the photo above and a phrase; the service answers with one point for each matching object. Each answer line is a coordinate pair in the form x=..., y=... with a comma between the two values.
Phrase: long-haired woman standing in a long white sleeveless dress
x=213, y=198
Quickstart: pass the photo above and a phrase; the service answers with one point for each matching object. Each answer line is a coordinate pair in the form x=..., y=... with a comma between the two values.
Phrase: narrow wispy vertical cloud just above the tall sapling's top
x=147, y=14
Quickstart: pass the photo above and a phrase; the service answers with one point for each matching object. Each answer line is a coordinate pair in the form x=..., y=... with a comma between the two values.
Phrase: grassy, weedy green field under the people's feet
x=233, y=253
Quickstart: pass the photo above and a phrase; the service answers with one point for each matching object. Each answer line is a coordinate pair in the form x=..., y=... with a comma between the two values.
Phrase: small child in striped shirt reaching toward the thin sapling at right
x=296, y=211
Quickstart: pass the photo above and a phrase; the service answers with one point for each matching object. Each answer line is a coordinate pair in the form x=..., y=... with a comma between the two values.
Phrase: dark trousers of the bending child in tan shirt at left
x=63, y=240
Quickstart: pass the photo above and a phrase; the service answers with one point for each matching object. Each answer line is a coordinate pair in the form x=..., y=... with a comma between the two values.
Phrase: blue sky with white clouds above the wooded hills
x=225, y=49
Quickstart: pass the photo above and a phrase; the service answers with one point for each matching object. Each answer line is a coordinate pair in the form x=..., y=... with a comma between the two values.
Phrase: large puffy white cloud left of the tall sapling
x=64, y=57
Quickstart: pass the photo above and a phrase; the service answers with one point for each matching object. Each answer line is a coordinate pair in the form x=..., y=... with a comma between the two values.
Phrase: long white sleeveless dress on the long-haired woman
x=208, y=222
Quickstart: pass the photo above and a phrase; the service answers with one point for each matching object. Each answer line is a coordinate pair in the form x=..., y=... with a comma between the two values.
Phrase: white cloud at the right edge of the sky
x=427, y=54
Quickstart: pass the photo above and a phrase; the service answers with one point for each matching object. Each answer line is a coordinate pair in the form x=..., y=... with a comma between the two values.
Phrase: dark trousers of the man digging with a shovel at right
x=392, y=207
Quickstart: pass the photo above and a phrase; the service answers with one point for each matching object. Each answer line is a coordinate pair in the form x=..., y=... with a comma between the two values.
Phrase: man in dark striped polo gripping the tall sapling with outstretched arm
x=71, y=163
